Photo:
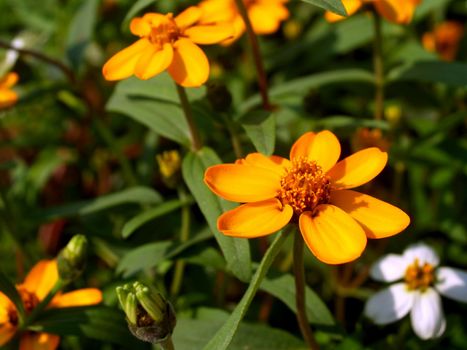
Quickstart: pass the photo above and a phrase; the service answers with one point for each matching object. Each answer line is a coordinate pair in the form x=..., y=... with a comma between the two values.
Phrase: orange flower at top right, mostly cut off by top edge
x=397, y=11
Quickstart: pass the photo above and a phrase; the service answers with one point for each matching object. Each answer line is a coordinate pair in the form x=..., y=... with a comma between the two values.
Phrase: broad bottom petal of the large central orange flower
x=332, y=235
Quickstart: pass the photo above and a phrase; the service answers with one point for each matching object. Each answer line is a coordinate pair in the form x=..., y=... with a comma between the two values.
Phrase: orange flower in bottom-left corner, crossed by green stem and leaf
x=38, y=283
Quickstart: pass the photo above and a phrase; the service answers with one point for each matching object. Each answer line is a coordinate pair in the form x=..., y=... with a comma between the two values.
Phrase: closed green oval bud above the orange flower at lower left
x=72, y=259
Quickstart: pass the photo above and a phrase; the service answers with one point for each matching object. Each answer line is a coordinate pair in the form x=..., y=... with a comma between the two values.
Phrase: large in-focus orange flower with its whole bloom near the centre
x=311, y=188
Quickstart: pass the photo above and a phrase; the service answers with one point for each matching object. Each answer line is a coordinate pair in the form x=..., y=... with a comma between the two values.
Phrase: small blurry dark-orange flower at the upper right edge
x=444, y=39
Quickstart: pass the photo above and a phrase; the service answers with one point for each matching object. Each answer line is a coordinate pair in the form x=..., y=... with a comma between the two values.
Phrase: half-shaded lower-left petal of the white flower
x=389, y=305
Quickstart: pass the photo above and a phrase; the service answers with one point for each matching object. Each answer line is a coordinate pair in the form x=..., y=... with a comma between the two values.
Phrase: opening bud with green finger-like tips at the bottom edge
x=150, y=317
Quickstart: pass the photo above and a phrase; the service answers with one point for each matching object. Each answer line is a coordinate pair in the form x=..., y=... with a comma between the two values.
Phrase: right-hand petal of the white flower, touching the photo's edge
x=452, y=283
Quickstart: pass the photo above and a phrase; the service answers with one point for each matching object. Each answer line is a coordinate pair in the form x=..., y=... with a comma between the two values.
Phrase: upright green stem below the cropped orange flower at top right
x=378, y=66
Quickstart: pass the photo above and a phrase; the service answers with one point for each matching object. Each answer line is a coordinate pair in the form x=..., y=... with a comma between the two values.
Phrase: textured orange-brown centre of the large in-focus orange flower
x=304, y=186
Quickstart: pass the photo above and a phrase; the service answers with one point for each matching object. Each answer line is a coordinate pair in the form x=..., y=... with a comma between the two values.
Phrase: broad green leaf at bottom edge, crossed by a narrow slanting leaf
x=193, y=333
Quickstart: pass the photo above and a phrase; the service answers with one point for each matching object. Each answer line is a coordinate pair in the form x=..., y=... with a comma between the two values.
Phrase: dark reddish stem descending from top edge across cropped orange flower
x=262, y=80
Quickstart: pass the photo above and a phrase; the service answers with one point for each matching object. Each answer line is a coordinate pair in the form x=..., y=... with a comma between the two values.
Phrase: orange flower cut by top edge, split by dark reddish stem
x=265, y=15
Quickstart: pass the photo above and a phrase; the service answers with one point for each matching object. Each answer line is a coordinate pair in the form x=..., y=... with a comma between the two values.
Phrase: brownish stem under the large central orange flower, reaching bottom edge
x=299, y=272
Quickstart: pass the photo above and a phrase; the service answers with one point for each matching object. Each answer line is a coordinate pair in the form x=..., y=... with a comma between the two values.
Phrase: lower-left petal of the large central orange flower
x=255, y=219
